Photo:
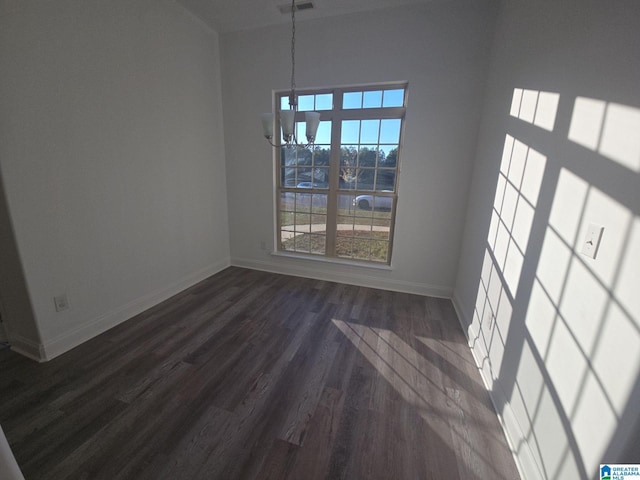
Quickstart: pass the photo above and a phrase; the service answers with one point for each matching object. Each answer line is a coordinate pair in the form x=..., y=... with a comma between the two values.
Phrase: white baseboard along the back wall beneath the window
x=340, y=274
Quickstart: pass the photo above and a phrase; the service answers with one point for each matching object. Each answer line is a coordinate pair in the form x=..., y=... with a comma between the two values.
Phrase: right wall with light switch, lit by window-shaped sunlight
x=557, y=334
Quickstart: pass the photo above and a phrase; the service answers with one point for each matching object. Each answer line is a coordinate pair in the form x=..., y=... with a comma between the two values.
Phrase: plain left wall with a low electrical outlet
x=112, y=158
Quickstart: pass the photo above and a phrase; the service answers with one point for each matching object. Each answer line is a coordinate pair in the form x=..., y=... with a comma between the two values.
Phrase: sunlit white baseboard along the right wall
x=524, y=458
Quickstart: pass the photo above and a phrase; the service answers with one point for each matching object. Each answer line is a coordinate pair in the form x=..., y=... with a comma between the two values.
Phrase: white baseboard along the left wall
x=70, y=339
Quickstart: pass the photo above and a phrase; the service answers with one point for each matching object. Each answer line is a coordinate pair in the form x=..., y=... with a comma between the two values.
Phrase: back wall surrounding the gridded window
x=442, y=51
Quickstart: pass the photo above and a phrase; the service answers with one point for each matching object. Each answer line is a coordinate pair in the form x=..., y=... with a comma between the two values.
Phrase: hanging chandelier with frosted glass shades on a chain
x=287, y=117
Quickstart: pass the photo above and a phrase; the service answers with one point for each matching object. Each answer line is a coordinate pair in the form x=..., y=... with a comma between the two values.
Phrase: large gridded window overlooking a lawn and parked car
x=338, y=197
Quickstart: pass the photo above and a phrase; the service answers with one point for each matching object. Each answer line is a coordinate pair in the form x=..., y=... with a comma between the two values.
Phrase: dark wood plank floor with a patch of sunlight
x=256, y=375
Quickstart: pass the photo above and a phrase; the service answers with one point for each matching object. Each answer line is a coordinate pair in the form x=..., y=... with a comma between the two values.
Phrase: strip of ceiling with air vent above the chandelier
x=232, y=15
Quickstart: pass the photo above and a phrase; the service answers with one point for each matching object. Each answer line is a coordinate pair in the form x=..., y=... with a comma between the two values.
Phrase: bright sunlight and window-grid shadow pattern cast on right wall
x=559, y=332
